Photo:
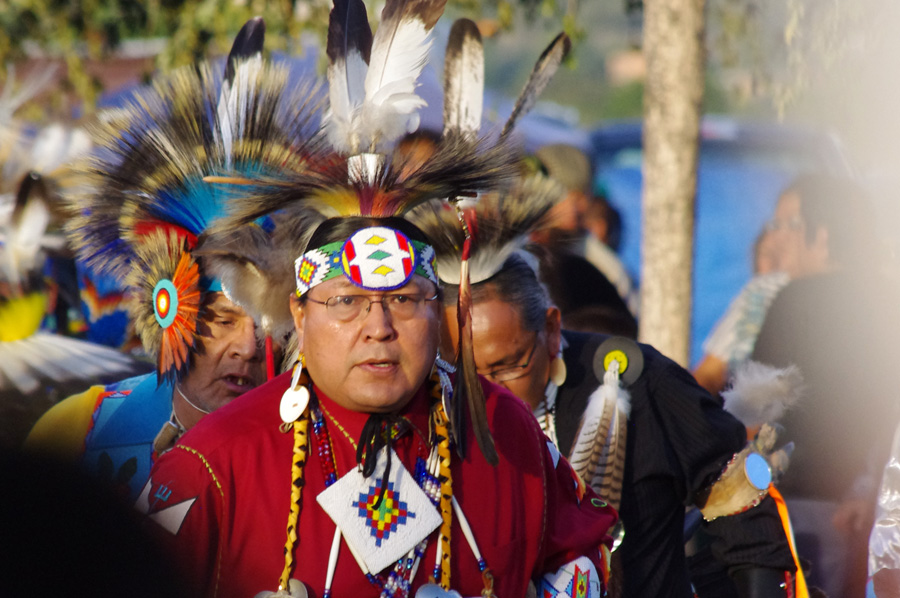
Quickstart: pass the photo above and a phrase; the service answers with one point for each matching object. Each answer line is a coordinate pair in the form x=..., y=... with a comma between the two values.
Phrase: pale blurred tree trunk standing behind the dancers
x=673, y=46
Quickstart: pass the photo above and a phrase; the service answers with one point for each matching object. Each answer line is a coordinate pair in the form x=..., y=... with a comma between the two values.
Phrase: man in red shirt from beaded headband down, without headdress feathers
x=358, y=473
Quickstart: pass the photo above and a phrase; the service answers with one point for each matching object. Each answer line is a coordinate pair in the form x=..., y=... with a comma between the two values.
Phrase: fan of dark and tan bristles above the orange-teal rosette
x=167, y=139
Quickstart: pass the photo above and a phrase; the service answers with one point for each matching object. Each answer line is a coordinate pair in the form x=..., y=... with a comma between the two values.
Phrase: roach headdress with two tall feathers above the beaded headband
x=372, y=103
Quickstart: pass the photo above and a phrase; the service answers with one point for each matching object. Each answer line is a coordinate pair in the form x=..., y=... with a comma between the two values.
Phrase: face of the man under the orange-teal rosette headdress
x=227, y=361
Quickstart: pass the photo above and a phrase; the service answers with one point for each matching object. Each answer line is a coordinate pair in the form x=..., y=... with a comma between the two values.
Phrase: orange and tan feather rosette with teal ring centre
x=166, y=300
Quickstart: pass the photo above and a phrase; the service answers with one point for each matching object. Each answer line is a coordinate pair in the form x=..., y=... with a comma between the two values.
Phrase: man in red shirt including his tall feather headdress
x=357, y=474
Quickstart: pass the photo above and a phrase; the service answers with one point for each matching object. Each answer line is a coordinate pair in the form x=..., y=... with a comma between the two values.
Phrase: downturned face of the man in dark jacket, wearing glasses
x=506, y=352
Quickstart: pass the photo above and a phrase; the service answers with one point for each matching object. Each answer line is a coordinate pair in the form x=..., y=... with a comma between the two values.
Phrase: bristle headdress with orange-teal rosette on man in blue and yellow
x=146, y=207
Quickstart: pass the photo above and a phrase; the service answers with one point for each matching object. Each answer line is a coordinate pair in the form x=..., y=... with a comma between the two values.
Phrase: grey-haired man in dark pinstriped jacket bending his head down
x=679, y=439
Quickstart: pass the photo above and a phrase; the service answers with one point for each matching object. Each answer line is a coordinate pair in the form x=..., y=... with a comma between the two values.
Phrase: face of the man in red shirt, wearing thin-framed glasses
x=376, y=361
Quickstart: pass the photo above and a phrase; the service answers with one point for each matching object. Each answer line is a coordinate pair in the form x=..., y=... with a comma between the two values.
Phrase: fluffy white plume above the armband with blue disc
x=761, y=393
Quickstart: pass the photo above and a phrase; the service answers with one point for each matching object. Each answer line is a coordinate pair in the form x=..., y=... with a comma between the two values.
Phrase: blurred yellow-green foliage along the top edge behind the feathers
x=80, y=32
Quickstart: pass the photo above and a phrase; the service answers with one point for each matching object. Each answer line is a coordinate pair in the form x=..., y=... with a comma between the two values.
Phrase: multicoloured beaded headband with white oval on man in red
x=376, y=258
